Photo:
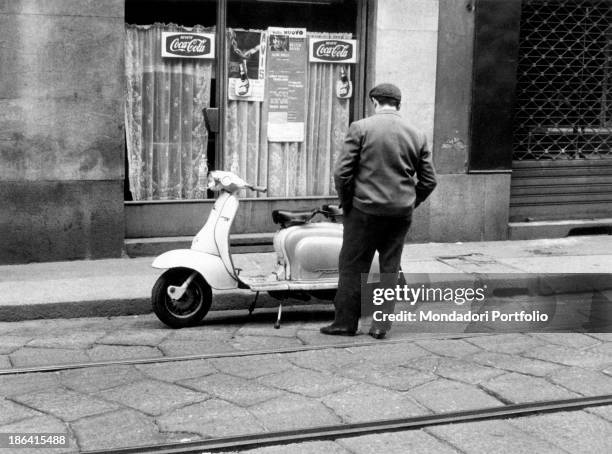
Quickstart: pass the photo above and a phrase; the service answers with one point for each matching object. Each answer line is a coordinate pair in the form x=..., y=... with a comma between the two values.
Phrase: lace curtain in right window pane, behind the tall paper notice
x=293, y=168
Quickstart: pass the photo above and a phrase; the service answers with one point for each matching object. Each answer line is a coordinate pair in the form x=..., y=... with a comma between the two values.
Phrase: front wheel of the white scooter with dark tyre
x=190, y=308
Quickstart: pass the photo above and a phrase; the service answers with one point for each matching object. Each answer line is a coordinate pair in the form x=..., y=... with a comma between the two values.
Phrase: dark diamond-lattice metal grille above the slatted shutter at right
x=564, y=81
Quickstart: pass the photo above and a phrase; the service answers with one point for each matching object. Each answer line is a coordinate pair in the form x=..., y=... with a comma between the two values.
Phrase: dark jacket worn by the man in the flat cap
x=385, y=166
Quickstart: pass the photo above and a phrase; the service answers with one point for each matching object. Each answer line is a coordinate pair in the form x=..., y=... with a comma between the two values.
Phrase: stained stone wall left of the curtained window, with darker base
x=61, y=129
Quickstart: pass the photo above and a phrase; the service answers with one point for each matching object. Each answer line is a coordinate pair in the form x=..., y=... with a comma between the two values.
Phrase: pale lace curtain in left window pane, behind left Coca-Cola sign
x=166, y=137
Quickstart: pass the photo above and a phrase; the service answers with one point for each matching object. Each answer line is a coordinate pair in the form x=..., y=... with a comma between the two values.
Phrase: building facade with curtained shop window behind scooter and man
x=105, y=142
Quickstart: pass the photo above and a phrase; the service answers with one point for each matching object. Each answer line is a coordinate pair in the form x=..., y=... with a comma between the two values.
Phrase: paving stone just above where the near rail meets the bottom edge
x=117, y=429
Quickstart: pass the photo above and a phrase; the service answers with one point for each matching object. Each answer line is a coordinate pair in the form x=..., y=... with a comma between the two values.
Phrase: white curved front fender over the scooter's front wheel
x=209, y=266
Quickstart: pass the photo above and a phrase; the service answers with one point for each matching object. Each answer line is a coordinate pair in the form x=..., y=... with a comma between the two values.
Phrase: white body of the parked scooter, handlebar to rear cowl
x=306, y=254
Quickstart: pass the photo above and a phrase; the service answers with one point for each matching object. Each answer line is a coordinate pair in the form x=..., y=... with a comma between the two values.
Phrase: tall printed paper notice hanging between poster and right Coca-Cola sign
x=287, y=60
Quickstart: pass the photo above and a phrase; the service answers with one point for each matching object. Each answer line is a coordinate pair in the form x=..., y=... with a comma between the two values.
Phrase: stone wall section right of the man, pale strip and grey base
x=426, y=48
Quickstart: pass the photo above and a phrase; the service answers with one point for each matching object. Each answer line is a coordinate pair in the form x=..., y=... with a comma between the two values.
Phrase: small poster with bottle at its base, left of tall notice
x=247, y=65
